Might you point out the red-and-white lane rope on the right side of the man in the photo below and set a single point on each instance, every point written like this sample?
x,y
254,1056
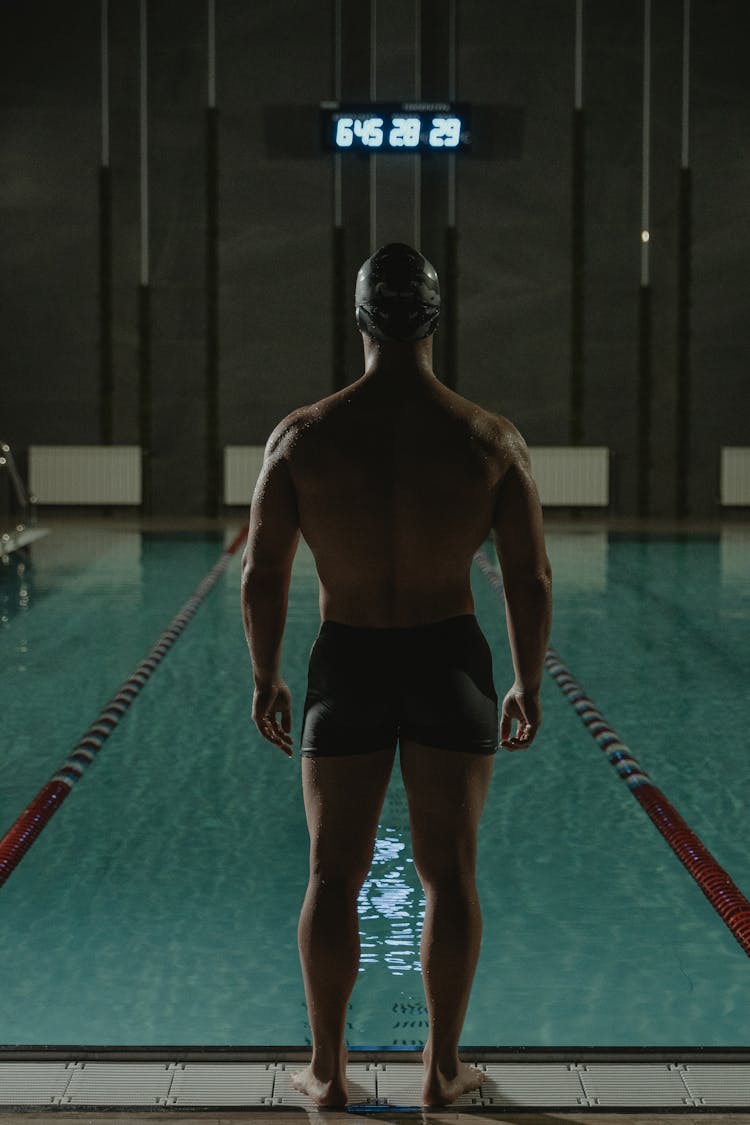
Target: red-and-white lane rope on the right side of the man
x,y
725,896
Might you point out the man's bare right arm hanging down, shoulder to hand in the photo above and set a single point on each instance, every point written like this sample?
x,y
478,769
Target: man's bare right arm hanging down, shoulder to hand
x,y
528,581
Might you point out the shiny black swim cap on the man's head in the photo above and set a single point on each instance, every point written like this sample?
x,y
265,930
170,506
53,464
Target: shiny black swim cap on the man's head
x,y
397,295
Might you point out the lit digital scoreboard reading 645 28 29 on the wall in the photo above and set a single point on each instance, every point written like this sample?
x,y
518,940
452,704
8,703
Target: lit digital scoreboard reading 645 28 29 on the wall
x,y
396,128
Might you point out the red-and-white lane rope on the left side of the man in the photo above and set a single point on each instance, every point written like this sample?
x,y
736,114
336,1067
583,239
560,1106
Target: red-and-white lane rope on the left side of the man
x,y
25,831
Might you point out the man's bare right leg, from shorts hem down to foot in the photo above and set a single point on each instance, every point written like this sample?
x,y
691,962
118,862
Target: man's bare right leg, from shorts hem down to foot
x,y
447,793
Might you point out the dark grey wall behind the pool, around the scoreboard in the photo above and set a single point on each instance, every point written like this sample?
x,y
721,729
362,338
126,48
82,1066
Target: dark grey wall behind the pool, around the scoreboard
x,y
278,335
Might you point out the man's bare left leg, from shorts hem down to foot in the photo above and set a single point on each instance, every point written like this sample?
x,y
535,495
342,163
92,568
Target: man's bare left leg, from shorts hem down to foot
x,y
344,798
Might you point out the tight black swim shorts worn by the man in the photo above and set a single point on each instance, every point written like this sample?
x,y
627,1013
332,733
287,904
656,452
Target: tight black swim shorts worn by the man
x,y
430,685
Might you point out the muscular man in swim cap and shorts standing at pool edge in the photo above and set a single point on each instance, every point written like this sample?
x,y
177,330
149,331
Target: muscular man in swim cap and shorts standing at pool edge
x,y
395,482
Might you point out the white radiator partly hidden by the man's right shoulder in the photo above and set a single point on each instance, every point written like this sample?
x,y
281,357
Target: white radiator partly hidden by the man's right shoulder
x,y
572,475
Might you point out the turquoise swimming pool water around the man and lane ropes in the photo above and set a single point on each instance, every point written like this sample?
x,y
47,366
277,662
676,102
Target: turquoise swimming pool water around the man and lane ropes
x,y
160,905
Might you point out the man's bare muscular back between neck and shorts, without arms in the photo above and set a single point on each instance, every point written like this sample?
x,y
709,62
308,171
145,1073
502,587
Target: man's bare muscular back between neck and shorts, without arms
x,y
396,484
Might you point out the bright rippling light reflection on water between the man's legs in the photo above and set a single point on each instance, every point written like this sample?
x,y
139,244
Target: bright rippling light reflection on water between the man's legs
x,y
392,907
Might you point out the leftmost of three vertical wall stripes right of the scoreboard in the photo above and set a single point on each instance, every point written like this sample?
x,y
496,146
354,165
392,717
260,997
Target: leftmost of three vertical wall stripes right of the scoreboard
x,y
577,256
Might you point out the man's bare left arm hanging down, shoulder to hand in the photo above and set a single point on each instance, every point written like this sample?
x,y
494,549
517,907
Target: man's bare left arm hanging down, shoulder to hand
x,y
273,541
